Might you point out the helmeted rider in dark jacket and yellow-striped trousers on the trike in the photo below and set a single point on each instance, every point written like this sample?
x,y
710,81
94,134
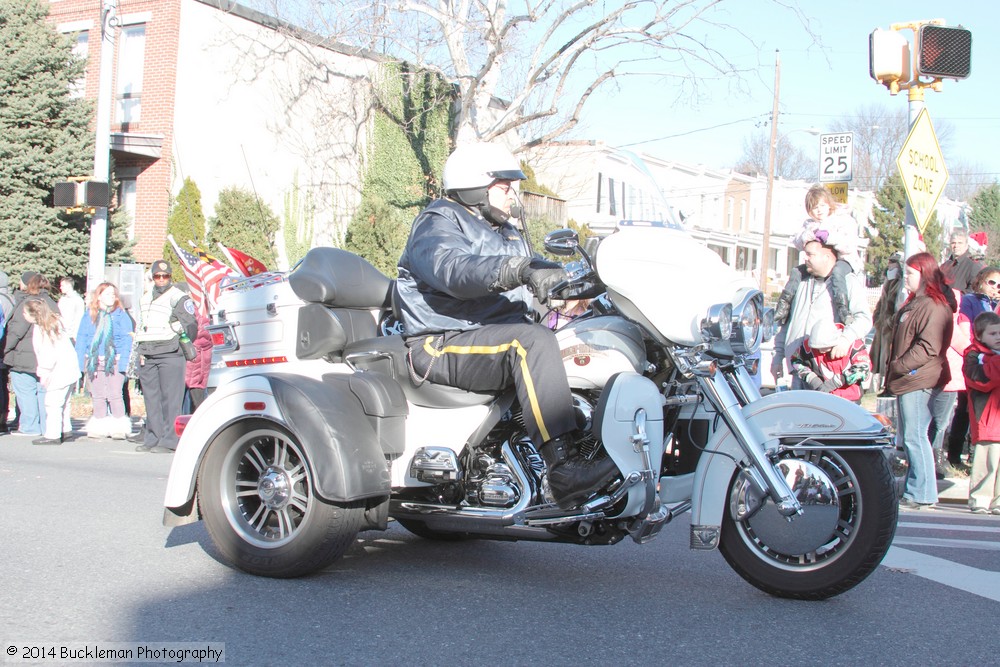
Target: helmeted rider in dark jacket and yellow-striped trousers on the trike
x,y
463,297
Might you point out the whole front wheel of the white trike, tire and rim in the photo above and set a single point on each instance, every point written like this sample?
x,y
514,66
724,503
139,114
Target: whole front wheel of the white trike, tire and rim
x,y
855,528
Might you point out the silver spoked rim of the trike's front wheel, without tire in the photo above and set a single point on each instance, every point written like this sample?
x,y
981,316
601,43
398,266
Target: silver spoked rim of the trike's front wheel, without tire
x,y
843,527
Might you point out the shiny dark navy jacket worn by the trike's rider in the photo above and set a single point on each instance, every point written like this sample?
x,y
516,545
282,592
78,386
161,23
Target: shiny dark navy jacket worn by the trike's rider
x,y
450,260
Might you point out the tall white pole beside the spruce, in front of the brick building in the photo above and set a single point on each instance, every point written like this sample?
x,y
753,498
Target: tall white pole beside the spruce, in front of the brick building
x,y
102,147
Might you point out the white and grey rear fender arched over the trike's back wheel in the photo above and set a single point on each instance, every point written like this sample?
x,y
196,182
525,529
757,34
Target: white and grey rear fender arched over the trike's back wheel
x,y
326,418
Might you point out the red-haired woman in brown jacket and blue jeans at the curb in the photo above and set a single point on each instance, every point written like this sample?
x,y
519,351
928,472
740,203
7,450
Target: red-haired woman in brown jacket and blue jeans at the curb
x,y
918,369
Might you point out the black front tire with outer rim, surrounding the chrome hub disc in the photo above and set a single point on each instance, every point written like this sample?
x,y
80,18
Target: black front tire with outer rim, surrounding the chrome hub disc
x,y
866,524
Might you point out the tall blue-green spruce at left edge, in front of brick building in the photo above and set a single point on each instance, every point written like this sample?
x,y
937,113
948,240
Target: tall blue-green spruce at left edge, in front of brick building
x,y
44,138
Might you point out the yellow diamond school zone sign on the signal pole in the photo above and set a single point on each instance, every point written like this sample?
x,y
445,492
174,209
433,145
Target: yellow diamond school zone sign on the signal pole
x,y
921,166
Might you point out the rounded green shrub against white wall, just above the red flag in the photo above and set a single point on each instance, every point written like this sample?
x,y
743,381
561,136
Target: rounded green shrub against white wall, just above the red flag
x,y
243,222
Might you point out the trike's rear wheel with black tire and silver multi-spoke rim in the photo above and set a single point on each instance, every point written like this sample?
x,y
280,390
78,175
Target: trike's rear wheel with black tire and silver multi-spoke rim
x,y
256,495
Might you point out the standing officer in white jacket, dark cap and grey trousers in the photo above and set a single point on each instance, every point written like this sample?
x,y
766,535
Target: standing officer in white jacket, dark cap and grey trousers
x,y
164,311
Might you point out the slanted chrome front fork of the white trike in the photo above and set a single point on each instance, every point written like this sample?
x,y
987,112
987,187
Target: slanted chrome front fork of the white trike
x,y
762,473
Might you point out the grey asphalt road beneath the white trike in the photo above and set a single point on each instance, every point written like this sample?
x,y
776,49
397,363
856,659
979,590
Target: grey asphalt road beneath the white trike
x,y
86,559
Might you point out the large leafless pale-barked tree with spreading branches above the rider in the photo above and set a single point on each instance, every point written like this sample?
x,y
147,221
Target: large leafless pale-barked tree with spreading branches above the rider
x,y
544,59
